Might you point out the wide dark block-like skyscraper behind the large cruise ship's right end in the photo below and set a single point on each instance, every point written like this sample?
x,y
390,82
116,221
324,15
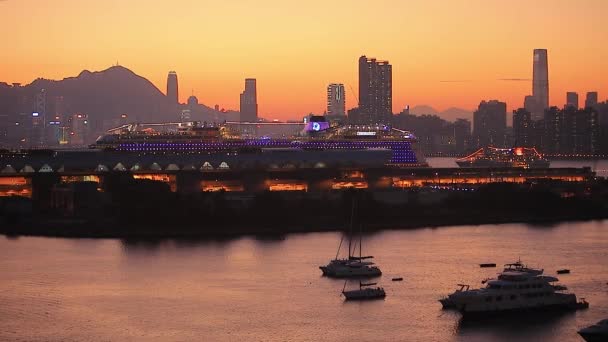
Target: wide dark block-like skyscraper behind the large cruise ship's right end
x,y
375,91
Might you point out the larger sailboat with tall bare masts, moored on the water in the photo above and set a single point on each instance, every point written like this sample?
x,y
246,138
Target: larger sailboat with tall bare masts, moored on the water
x,y
352,266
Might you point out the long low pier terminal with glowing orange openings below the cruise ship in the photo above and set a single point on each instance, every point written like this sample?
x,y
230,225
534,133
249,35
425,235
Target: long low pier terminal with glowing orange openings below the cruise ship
x,y
320,179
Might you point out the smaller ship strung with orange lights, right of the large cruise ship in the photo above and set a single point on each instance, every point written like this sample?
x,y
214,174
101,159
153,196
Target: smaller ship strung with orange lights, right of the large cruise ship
x,y
493,157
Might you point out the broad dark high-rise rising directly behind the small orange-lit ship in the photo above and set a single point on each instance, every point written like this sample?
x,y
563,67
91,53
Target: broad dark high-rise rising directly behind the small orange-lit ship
x,y
490,123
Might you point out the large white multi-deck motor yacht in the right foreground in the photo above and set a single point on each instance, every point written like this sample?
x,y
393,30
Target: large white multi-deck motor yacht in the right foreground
x,y
515,291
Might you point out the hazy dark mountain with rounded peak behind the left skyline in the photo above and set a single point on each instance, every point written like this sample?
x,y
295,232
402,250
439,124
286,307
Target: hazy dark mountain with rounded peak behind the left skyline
x,y
105,95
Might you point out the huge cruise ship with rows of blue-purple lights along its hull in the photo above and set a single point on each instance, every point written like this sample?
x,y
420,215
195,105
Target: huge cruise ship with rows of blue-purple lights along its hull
x,y
221,139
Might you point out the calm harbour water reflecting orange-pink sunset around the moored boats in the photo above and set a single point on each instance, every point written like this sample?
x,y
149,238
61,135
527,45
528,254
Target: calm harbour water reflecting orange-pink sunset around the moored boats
x,y
270,289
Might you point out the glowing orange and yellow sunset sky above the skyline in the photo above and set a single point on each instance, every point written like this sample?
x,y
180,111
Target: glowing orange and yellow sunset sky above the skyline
x,y
295,48
